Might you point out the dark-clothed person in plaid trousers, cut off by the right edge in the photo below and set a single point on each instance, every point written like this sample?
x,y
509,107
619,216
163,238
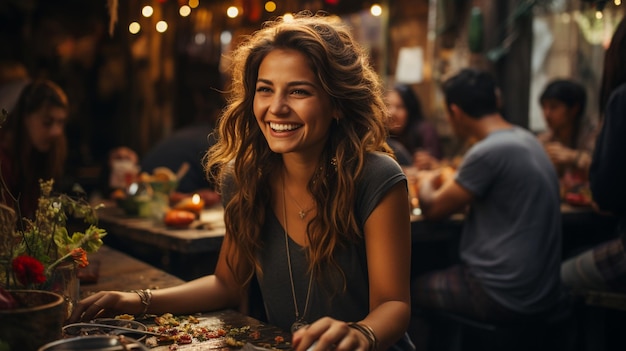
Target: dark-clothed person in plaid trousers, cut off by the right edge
x,y
604,267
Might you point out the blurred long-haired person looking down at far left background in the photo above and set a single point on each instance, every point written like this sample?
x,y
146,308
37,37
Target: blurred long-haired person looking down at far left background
x,y
33,145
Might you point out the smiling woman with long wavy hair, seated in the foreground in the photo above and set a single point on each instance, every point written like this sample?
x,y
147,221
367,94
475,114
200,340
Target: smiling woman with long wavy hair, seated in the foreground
x,y
315,205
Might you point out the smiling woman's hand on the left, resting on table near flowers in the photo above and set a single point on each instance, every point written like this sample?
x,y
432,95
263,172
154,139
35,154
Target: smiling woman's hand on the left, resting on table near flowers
x,y
106,304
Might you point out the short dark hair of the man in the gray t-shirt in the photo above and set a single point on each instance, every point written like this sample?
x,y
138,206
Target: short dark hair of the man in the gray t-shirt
x,y
473,91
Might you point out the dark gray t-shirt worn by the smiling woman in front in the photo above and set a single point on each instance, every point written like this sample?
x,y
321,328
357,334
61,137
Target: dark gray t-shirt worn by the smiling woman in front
x,y
328,298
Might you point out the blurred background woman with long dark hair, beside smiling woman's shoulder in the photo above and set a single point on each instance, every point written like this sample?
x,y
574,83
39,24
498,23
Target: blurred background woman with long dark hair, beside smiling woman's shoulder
x,y
409,130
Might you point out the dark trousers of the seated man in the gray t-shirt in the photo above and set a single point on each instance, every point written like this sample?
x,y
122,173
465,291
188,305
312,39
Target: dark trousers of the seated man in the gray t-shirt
x,y
456,290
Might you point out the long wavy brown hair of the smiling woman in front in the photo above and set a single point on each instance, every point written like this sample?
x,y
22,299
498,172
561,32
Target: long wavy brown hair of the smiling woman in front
x,y
241,151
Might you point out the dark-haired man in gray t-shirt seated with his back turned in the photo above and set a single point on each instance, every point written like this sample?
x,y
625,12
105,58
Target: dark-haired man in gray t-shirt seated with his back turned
x,y
510,247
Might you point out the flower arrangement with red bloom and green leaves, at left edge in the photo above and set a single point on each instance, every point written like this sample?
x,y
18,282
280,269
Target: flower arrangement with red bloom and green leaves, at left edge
x,y
31,250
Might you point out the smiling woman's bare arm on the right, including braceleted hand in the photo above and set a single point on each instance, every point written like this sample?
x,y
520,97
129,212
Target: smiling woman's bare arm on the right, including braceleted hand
x,y
388,247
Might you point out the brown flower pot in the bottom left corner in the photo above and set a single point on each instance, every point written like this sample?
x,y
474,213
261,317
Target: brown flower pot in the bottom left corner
x,y
37,320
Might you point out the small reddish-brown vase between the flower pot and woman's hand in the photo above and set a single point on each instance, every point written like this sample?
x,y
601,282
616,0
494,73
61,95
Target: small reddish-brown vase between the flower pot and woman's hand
x,y
64,281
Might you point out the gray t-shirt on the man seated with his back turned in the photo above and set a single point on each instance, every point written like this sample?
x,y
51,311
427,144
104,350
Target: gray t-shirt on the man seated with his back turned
x,y
512,236
